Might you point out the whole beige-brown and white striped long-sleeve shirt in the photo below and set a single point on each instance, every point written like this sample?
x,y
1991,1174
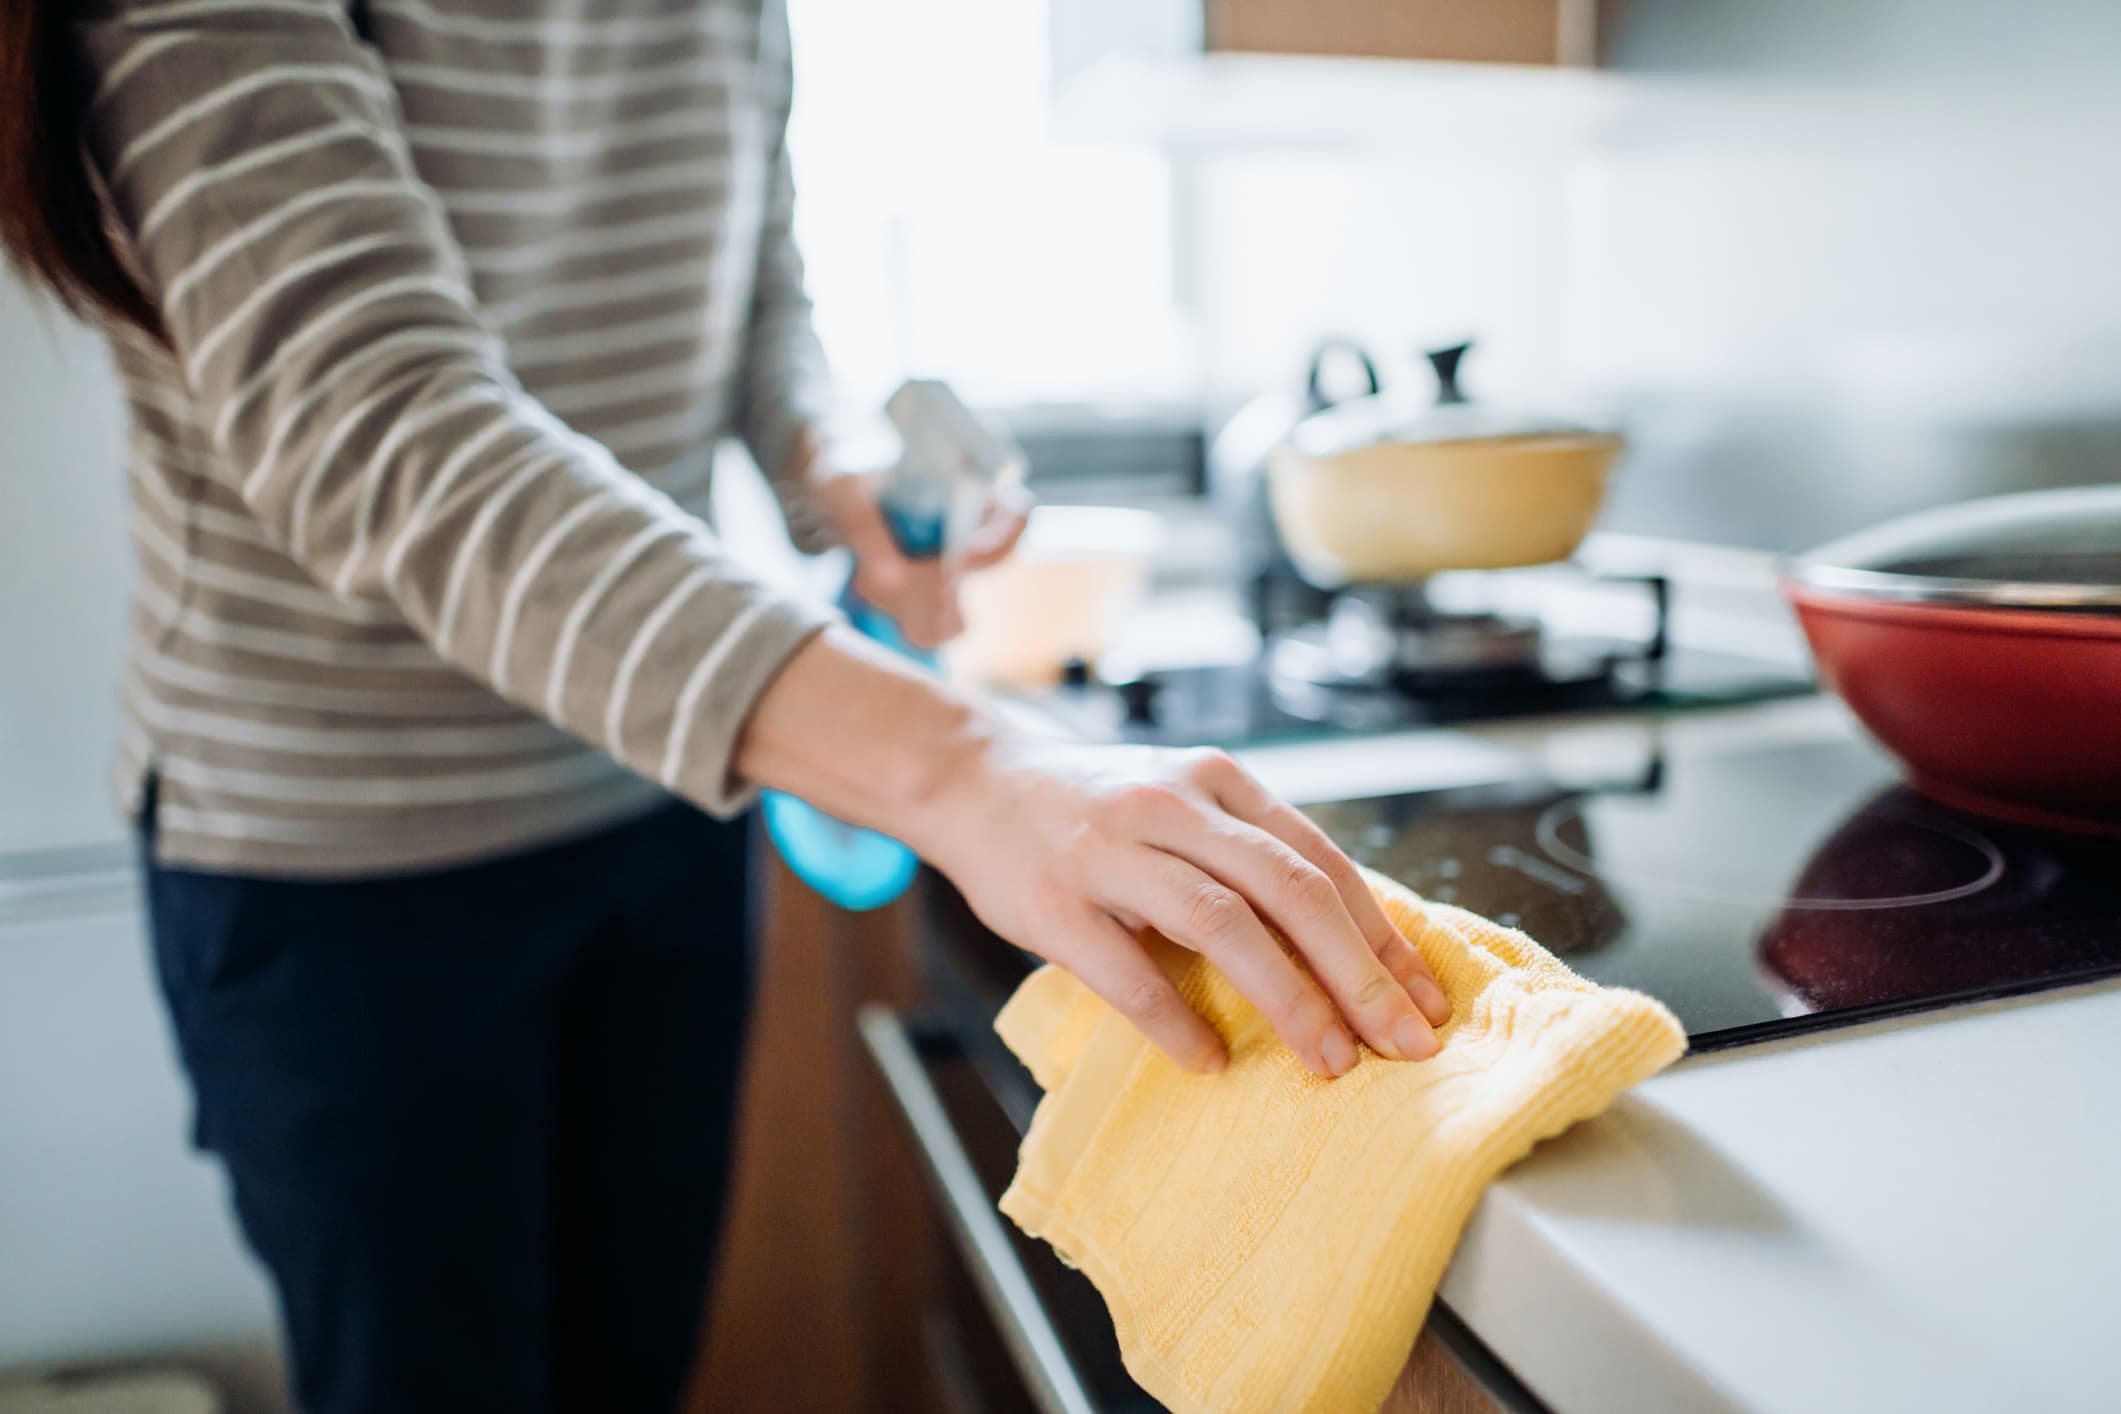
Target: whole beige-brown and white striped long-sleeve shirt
x,y
459,298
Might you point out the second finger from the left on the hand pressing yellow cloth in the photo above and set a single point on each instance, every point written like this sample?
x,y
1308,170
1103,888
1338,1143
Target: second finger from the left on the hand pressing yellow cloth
x,y
1212,919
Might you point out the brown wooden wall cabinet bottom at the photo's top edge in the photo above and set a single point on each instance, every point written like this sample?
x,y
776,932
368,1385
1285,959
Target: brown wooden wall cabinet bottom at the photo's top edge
x,y
1558,33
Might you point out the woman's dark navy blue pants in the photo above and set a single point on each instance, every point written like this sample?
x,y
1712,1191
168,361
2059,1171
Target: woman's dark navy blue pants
x,y
476,1123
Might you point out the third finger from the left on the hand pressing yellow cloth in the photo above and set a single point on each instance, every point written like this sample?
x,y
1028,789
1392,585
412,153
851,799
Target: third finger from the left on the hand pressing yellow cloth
x,y
1297,898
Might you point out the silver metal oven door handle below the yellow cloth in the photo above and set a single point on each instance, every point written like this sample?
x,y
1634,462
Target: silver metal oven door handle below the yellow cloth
x,y
985,1245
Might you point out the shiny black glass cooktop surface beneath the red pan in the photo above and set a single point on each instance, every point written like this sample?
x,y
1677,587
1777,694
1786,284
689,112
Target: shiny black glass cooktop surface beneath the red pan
x,y
1761,891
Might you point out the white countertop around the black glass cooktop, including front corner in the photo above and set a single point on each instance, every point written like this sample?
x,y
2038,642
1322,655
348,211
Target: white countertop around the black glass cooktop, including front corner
x,y
1904,1216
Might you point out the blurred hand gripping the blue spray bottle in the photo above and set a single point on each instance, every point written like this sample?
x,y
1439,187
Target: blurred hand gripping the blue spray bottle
x,y
917,595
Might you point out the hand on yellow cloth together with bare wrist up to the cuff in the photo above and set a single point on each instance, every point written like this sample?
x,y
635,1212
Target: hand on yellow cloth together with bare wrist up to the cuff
x,y
1070,849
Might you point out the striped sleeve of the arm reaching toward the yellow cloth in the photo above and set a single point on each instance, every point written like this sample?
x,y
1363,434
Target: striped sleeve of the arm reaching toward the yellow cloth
x,y
323,317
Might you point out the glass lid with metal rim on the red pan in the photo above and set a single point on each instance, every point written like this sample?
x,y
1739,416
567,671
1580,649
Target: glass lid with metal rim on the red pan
x,y
2031,550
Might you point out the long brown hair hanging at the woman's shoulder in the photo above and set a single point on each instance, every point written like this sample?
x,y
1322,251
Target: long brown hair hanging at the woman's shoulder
x,y
52,217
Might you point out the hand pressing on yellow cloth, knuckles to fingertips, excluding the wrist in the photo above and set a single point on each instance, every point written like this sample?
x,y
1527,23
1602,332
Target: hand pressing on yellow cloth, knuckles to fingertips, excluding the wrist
x,y
1070,851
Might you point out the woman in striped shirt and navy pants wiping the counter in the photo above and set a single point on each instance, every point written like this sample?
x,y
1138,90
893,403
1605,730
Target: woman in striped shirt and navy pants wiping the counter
x,y
430,319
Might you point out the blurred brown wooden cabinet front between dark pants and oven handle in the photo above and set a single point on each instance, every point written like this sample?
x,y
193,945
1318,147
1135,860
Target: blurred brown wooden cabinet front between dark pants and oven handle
x,y
828,1233
